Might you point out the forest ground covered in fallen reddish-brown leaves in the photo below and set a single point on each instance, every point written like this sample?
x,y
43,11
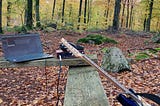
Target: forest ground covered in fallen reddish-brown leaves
x,y
36,86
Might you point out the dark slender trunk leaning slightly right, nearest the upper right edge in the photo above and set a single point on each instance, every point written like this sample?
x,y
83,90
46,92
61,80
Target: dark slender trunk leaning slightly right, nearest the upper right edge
x,y
148,21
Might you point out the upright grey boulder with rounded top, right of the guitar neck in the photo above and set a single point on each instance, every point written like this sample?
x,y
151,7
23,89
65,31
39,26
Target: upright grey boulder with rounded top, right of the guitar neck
x,y
115,61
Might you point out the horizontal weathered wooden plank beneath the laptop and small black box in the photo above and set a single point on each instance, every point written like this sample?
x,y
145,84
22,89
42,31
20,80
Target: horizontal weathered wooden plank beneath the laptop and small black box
x,y
46,62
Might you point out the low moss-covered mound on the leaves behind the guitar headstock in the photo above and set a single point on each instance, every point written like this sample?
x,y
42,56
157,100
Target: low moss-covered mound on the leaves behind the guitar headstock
x,y
96,39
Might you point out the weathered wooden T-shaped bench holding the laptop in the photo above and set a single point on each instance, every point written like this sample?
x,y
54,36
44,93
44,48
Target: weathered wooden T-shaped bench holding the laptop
x,y
83,87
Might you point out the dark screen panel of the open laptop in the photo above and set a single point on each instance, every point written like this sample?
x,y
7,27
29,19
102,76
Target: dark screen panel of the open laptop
x,y
17,45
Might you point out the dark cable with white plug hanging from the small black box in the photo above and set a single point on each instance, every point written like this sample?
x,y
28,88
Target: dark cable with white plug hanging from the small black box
x,y
60,70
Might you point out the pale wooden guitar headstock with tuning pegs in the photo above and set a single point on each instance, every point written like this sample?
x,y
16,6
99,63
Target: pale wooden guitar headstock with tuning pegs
x,y
71,48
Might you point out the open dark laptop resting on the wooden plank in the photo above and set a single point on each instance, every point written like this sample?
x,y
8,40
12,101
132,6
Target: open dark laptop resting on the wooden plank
x,y
24,47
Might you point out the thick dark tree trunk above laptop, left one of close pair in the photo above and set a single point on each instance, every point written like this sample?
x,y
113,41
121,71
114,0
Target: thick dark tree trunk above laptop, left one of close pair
x,y
29,22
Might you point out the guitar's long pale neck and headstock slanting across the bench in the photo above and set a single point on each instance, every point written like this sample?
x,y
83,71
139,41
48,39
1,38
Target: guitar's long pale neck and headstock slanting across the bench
x,y
137,99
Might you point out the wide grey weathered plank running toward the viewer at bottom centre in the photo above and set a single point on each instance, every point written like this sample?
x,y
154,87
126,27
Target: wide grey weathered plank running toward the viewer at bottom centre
x,y
84,88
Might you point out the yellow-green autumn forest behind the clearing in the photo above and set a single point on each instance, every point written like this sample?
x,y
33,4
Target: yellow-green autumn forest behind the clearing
x,y
85,14
